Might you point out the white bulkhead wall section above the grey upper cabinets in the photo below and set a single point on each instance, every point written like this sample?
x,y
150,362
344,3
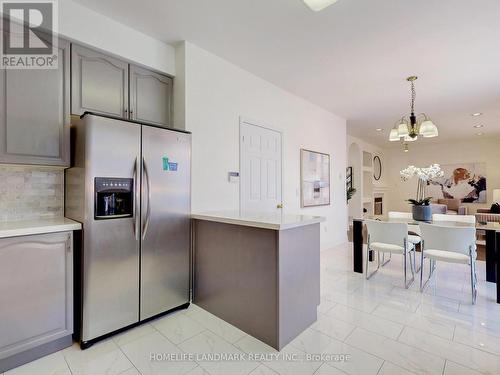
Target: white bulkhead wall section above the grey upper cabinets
x,y
87,27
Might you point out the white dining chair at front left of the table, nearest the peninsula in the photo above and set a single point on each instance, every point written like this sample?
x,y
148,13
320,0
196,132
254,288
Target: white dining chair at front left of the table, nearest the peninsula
x,y
387,237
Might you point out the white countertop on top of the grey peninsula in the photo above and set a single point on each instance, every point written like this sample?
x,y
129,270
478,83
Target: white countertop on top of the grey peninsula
x,y
276,221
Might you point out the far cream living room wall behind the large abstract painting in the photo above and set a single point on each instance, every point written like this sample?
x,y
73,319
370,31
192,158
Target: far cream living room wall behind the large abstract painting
x,y
421,154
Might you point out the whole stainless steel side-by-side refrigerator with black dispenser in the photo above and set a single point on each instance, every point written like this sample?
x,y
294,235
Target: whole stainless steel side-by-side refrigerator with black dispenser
x,y
129,185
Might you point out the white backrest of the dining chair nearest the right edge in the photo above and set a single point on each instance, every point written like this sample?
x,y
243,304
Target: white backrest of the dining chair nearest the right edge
x,y
454,239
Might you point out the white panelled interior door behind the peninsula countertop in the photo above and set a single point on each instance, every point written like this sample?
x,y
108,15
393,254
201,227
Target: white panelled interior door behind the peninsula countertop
x,y
260,168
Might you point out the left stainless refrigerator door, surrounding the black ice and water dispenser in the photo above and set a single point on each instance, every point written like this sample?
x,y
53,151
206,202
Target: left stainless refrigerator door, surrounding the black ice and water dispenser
x,y
111,246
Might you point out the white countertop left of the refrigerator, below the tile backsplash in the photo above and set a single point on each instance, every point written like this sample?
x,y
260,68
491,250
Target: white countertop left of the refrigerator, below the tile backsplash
x,y
40,226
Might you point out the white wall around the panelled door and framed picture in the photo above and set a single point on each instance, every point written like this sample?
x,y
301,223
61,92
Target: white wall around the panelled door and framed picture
x,y
217,93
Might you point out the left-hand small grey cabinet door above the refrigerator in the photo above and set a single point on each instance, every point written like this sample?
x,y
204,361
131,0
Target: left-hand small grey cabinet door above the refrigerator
x,y
99,83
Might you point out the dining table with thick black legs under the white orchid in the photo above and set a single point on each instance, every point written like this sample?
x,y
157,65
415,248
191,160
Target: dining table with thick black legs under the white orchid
x,y
492,243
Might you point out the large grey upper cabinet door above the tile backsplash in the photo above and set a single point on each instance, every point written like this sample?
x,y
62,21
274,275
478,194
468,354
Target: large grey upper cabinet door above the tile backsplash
x,y
34,113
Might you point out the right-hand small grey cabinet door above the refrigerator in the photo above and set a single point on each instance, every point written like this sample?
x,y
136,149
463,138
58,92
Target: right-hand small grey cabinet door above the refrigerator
x,y
150,96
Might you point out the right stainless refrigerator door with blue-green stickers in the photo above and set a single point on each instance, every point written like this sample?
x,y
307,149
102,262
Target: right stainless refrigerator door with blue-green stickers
x,y
165,220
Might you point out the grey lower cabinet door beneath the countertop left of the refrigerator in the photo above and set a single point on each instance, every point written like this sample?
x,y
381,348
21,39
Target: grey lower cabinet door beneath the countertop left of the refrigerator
x,y
36,291
